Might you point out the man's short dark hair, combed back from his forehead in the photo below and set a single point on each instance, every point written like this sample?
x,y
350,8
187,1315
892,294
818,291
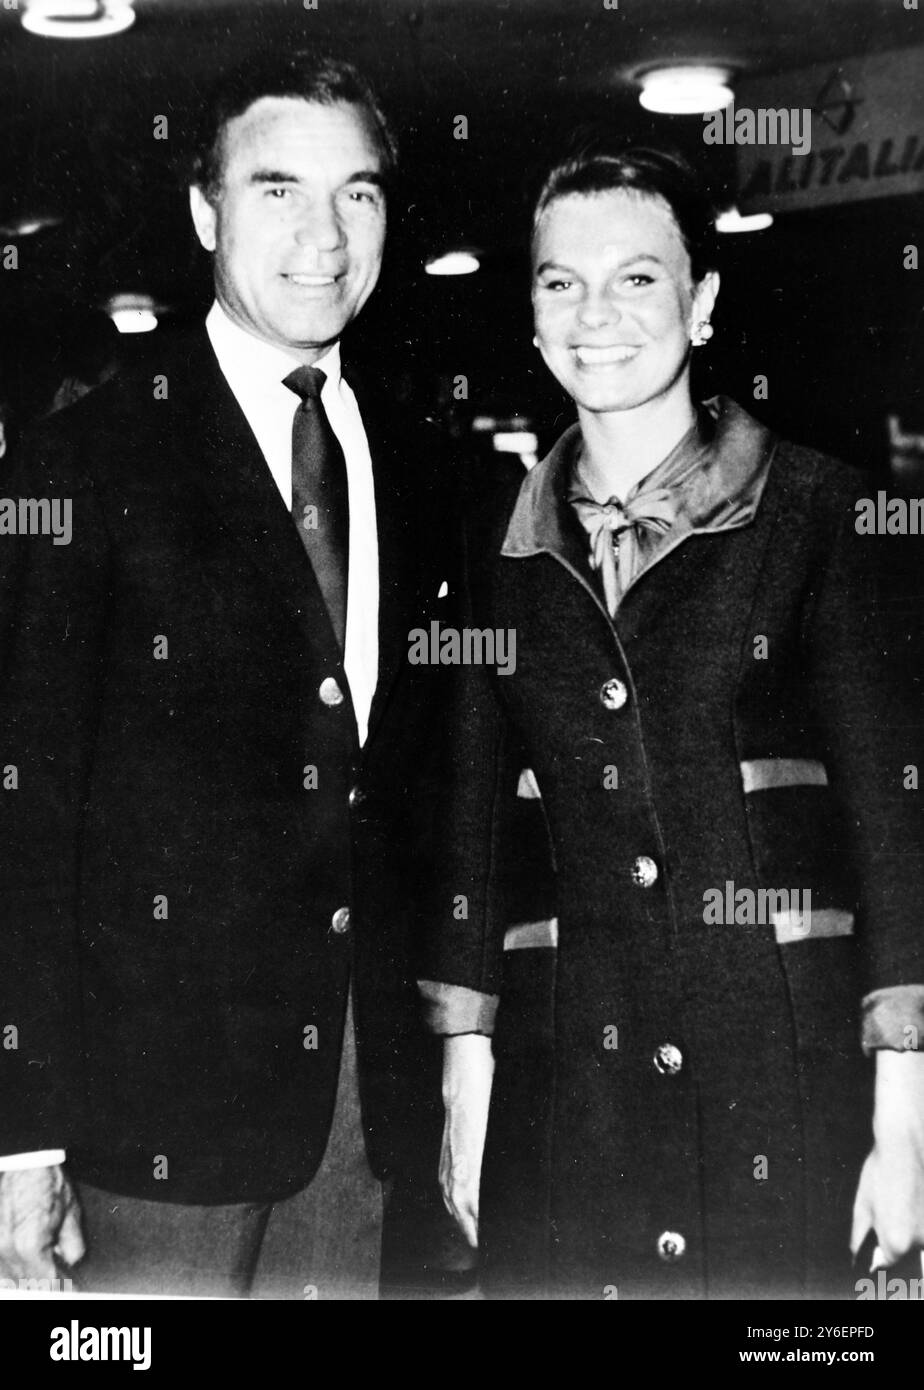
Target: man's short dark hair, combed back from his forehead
x,y
308,77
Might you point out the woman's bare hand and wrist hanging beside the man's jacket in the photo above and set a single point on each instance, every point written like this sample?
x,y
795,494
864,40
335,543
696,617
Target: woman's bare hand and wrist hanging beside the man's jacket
x,y
469,1068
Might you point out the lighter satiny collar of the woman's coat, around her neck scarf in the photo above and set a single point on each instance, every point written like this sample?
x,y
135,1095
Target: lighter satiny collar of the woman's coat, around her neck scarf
x,y
719,489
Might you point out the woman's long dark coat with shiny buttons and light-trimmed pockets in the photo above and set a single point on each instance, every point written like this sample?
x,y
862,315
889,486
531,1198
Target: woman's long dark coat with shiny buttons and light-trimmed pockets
x,y
764,742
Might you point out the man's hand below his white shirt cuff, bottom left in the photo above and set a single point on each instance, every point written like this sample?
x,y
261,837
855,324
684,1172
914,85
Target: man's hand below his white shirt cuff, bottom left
x,y
40,1224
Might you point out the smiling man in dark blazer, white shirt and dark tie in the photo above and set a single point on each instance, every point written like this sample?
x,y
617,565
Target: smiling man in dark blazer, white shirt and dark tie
x,y
220,758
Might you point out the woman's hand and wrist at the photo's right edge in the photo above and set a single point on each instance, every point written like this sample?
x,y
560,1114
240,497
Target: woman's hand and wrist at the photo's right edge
x,y
891,1192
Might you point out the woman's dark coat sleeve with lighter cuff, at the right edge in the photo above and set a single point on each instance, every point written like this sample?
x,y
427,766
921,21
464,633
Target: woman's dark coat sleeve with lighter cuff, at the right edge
x,y
861,632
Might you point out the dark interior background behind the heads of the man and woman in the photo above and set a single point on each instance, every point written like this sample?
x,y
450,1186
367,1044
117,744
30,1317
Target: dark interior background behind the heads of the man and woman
x,y
819,304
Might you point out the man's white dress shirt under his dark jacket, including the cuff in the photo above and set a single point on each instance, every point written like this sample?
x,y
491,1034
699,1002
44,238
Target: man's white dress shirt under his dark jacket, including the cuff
x,y
255,372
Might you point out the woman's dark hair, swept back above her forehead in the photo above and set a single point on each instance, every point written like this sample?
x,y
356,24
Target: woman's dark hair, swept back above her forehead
x,y
598,163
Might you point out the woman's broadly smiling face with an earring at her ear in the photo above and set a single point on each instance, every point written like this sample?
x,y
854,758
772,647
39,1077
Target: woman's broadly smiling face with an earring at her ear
x,y
613,300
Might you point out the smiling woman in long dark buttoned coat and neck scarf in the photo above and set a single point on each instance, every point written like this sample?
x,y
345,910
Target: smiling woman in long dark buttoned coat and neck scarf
x,y
704,705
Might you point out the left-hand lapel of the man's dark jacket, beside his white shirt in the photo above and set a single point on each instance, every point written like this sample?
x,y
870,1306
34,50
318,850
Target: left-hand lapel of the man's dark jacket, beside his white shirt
x,y
236,482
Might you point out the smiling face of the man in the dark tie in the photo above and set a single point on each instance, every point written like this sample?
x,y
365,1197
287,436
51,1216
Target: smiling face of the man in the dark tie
x,y
298,226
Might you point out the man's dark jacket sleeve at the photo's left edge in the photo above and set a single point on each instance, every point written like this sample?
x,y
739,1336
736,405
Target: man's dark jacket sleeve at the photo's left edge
x,y
53,600
